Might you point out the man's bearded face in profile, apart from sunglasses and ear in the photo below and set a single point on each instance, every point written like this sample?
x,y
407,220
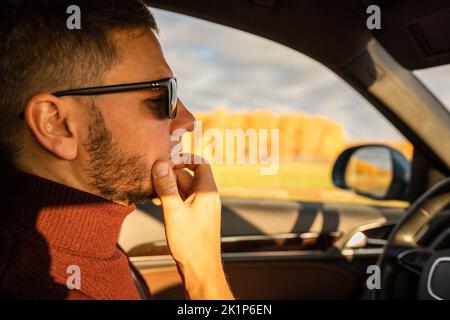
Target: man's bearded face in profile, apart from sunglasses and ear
x,y
125,135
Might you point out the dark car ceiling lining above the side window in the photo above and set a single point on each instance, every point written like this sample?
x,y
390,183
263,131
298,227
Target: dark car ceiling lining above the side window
x,y
411,30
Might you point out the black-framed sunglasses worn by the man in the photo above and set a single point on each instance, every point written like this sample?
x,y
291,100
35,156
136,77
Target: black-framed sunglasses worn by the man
x,y
169,85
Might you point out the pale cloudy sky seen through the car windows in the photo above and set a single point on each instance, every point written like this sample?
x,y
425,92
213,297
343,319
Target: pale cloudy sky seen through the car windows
x,y
218,66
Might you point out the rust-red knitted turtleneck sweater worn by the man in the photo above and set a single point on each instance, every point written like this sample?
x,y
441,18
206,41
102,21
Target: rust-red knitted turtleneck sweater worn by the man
x,y
45,228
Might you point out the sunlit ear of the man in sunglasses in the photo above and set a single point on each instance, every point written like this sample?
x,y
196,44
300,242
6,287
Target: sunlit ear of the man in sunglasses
x,y
47,118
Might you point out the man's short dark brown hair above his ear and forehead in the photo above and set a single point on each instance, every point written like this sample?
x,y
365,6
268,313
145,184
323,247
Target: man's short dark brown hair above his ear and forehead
x,y
38,52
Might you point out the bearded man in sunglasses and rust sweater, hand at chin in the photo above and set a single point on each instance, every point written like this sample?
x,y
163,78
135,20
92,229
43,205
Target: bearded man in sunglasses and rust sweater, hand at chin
x,y
85,133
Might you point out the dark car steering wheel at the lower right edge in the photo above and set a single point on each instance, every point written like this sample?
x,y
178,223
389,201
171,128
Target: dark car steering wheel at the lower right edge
x,y
409,268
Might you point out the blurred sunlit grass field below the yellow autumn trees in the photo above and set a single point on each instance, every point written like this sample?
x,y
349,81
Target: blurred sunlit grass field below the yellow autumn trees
x,y
306,181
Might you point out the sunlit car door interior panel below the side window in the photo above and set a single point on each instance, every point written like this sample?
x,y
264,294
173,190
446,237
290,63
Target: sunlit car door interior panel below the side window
x,y
271,249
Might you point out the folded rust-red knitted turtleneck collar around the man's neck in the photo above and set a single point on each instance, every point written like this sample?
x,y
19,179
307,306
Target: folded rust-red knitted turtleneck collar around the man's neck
x,y
64,217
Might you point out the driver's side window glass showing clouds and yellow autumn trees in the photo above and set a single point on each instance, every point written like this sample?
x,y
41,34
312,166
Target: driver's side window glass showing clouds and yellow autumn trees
x,y
232,80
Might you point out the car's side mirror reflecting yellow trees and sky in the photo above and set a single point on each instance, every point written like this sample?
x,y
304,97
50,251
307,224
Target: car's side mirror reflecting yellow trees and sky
x,y
375,171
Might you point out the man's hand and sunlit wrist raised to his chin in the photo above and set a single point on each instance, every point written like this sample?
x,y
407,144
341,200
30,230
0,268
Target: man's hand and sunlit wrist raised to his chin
x,y
192,216
